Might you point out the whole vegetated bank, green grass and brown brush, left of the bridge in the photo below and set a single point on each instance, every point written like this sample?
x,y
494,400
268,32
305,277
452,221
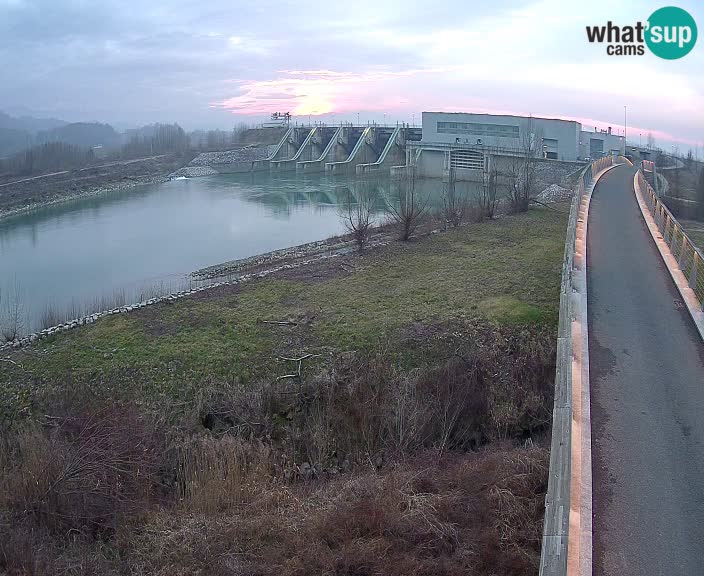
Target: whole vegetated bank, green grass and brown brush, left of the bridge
x,y
383,412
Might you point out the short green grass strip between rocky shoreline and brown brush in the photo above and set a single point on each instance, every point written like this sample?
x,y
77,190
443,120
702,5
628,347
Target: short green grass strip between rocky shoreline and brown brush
x,y
506,271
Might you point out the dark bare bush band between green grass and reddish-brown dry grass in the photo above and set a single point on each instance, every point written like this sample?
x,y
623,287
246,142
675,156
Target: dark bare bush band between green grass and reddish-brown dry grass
x,y
365,410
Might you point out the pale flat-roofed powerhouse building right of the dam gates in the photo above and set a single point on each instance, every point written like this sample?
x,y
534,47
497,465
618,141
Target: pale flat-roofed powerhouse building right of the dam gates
x,y
467,141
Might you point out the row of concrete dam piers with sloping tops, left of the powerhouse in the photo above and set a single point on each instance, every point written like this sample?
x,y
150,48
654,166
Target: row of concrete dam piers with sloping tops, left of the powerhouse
x,y
339,149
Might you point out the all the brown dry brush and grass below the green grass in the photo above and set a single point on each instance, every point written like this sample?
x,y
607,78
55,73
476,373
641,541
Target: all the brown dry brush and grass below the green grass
x,y
364,469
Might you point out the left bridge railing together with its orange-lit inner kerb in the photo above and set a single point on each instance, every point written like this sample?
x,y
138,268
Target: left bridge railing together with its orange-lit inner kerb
x,y
566,546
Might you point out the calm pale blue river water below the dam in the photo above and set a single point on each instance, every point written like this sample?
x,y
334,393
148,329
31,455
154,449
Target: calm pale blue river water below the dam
x,y
117,248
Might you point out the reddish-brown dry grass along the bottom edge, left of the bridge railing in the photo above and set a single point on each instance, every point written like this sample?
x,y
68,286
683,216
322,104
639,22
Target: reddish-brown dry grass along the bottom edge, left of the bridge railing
x,y
459,514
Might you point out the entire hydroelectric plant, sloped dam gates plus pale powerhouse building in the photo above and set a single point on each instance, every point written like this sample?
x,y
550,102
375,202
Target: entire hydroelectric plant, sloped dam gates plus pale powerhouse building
x,y
470,144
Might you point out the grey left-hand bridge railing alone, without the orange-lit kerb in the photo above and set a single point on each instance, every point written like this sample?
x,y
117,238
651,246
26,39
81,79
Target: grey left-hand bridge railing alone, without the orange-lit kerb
x,y
553,559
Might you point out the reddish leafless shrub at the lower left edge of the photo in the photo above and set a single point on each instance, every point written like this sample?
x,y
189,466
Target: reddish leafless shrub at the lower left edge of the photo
x,y
83,472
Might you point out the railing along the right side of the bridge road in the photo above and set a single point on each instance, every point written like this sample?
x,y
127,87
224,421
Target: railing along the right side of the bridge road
x,y
688,256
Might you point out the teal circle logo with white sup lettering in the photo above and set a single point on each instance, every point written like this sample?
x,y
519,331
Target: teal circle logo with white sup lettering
x,y
670,33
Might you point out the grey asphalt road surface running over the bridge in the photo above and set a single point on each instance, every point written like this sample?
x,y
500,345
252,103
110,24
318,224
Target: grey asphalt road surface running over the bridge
x,y
647,378
